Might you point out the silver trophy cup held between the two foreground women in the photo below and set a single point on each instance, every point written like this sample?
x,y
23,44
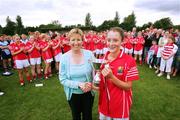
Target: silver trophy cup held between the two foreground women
x,y
96,63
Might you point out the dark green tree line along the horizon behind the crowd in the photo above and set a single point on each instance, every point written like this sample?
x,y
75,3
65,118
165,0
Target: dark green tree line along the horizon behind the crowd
x,y
127,24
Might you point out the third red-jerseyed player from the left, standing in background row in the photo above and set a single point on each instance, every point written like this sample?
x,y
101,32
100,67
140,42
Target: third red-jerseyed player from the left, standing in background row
x,y
46,53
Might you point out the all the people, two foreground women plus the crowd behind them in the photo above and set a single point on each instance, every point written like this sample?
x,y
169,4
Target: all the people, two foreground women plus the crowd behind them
x,y
74,54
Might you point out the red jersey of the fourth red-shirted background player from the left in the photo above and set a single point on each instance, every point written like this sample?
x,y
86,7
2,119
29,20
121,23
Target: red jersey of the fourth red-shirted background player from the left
x,y
54,43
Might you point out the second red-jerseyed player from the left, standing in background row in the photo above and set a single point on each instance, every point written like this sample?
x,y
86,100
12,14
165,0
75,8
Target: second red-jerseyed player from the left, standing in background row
x,y
34,57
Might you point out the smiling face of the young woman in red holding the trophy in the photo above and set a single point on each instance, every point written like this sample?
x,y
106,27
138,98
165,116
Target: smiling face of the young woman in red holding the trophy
x,y
114,41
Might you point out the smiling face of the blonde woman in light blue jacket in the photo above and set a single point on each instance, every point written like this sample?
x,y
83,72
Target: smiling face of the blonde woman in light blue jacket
x,y
76,41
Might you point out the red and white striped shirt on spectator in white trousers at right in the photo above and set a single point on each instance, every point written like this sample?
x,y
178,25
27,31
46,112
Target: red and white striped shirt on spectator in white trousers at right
x,y
169,49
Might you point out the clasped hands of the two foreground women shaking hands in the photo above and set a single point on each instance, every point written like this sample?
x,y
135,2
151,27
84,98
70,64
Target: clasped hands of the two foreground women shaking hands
x,y
85,87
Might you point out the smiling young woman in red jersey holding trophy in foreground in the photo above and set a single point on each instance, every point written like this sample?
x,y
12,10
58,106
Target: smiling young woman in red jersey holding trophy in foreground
x,y
115,98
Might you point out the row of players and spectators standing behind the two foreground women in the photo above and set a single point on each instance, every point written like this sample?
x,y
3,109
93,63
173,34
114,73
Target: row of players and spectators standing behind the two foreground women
x,y
154,46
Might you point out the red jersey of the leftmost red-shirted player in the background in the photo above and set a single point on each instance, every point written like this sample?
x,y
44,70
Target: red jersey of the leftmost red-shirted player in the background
x,y
14,47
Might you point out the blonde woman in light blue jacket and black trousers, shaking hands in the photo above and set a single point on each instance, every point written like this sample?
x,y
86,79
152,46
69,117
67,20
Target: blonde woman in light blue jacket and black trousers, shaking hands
x,y
76,77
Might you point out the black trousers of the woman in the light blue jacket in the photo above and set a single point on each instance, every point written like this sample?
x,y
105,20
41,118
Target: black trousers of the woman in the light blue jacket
x,y
81,104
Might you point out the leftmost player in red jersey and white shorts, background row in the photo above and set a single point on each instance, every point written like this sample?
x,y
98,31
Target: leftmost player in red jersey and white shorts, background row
x,y
20,59
